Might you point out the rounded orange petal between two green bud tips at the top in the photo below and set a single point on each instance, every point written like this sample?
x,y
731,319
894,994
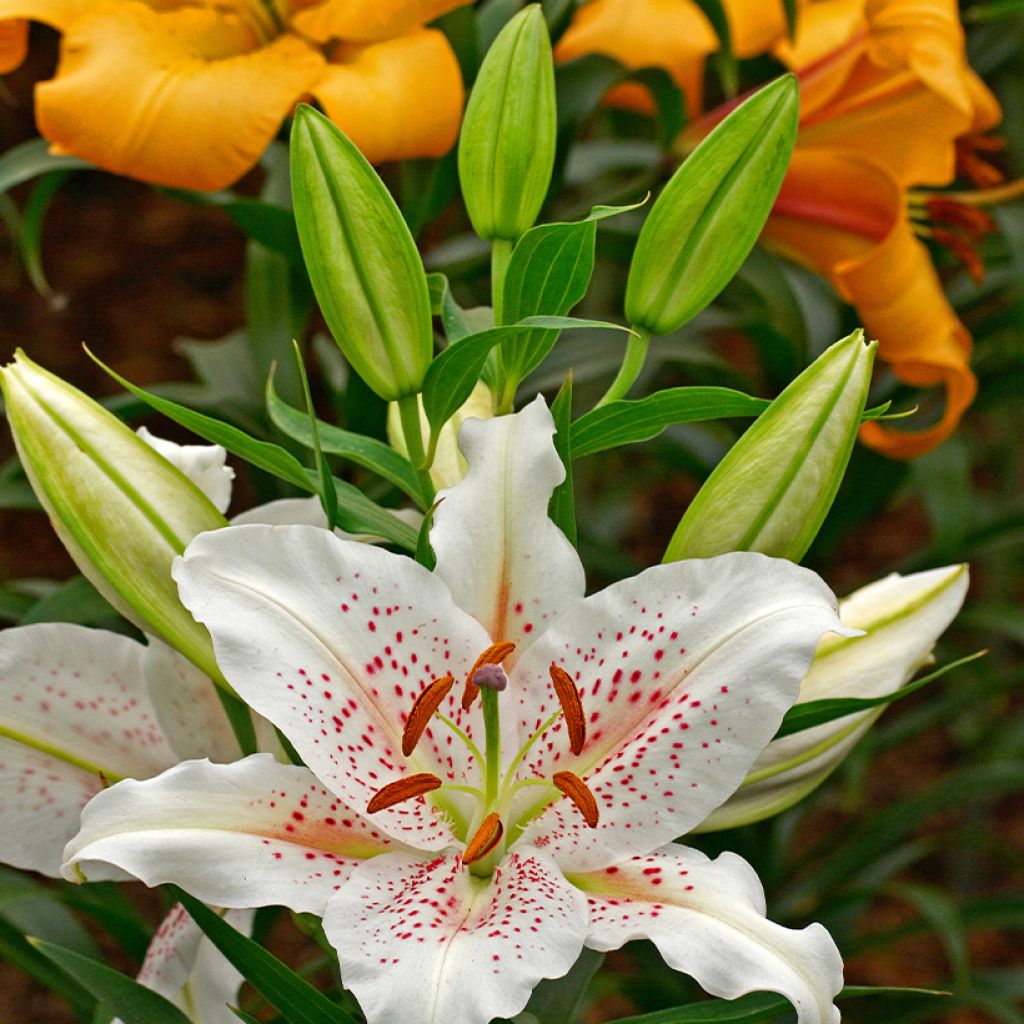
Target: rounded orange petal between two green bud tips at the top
x,y
396,100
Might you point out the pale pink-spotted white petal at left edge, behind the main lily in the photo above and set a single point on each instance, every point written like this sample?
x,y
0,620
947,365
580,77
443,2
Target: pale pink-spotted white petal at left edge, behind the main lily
x,y
73,711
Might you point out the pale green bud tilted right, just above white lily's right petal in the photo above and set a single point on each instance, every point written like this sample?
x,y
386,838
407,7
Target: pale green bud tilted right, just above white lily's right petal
x,y
776,486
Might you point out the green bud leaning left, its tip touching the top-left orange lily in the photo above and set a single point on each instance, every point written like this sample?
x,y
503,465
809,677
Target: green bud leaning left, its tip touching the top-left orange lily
x,y
362,260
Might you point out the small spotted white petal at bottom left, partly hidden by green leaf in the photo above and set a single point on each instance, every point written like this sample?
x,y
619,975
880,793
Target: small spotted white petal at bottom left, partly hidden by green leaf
x,y
185,967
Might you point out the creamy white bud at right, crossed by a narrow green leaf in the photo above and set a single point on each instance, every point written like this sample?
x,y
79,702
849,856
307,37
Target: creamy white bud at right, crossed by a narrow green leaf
x,y
903,618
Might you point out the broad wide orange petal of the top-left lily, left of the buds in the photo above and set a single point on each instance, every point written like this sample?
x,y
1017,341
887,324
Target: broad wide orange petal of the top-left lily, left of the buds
x,y
186,99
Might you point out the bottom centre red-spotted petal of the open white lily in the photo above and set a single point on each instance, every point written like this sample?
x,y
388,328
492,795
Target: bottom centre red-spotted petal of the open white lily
x,y
423,942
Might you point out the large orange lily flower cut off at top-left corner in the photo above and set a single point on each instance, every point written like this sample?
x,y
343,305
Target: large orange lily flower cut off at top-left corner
x,y
190,94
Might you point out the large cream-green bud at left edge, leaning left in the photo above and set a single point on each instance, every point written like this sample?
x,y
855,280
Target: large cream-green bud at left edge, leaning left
x,y
122,511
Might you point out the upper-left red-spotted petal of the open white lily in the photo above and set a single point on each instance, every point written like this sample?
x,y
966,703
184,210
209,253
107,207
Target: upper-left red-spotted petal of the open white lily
x,y
332,642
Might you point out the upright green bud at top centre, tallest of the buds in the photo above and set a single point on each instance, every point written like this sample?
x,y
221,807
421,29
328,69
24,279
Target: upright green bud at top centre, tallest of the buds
x,y
507,145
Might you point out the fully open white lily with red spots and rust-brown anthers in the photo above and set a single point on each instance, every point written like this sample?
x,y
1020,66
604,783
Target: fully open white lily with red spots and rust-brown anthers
x,y
431,833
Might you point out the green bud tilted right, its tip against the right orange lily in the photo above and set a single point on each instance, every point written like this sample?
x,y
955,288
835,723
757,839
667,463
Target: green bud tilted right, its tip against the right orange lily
x,y
710,215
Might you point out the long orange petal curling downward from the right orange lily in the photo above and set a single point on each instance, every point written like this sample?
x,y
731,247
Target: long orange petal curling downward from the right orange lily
x,y
847,221
